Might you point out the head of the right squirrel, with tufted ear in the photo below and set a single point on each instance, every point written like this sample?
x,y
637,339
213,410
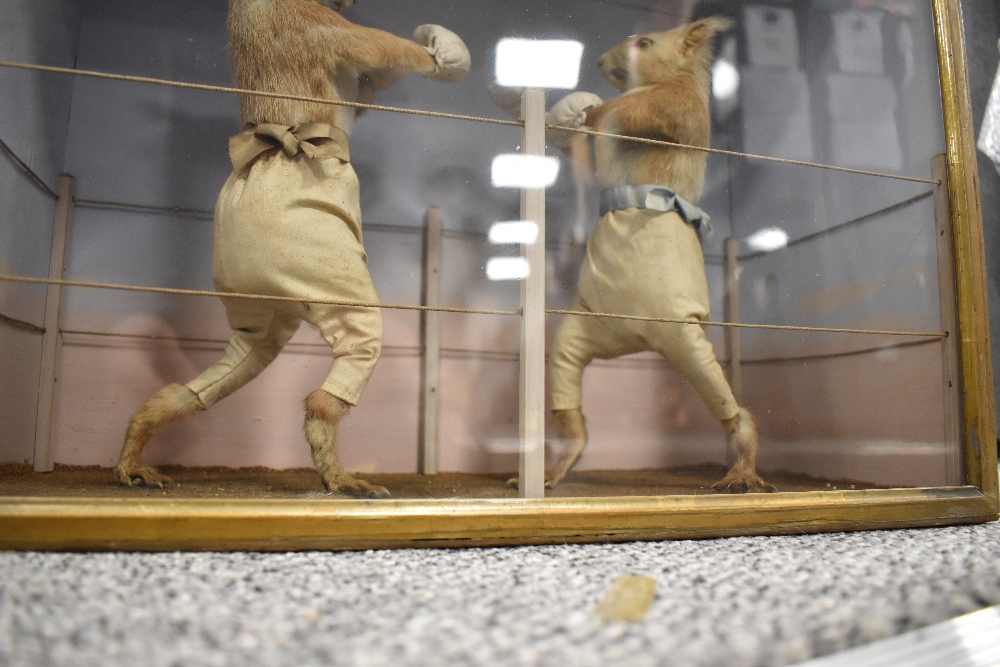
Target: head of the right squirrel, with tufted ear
x,y
647,59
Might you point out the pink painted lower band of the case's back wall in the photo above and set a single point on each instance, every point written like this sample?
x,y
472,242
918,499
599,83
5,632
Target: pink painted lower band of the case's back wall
x,y
871,417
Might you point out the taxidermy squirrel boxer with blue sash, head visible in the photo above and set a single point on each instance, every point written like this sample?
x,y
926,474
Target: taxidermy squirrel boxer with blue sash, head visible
x,y
644,257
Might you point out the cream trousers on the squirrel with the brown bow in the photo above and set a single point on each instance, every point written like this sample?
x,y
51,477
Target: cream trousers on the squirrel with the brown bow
x,y
291,226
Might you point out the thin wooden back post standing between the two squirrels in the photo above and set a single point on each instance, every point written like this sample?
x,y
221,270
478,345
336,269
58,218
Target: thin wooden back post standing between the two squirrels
x,y
430,342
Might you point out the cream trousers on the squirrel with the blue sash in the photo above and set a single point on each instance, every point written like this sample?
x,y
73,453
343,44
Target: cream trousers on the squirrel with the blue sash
x,y
647,263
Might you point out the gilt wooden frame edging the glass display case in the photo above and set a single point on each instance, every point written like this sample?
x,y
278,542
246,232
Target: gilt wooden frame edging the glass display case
x,y
197,524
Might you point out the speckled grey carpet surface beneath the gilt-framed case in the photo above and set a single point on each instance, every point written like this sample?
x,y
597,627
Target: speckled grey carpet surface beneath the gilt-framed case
x,y
742,601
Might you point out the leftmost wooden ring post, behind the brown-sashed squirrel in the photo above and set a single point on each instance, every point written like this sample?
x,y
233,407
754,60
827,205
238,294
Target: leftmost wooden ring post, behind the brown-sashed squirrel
x,y
52,338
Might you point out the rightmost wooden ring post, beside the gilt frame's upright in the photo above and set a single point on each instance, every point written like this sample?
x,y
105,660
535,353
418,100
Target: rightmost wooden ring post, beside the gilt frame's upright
x,y
947,299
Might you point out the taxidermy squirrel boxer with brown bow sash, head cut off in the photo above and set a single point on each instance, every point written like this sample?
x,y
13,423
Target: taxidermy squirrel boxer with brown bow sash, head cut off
x,y
288,220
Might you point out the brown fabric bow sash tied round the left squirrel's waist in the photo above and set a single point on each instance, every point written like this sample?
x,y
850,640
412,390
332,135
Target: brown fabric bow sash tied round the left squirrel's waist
x,y
319,141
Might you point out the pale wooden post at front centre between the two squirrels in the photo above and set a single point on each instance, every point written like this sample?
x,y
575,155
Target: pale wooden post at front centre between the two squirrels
x,y
532,408
